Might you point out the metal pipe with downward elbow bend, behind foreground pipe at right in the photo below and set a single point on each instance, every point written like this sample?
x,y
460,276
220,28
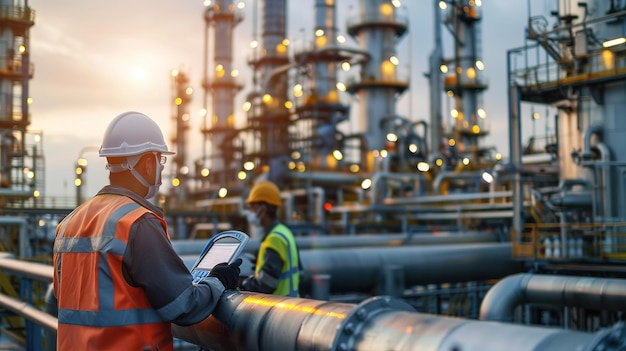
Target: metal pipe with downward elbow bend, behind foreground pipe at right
x,y
592,293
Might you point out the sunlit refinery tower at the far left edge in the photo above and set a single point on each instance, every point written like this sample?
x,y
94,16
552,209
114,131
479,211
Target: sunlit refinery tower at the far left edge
x,y
16,174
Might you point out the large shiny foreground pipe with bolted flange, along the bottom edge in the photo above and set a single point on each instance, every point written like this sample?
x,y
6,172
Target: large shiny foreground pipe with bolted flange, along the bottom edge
x,y
261,322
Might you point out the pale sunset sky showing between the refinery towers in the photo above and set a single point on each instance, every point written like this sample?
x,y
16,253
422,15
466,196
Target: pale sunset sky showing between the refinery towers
x,y
96,59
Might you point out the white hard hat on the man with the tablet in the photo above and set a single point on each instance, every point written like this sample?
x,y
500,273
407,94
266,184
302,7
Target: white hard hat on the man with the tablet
x,y
132,133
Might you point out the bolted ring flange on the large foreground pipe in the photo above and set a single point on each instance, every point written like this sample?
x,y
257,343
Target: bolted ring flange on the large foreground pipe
x,y
350,329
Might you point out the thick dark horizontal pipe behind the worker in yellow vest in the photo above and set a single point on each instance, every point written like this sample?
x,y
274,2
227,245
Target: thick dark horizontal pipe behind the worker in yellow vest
x,y
360,270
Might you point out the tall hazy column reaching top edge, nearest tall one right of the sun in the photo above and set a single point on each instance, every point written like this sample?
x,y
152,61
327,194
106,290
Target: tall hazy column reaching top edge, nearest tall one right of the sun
x,y
219,125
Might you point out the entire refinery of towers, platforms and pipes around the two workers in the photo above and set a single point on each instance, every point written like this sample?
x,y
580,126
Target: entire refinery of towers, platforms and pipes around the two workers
x,y
414,234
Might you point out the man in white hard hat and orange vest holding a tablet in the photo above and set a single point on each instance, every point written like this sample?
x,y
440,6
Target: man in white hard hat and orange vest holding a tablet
x,y
117,279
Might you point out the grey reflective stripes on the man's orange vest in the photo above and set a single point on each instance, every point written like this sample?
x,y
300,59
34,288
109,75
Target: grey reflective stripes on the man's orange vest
x,y
102,244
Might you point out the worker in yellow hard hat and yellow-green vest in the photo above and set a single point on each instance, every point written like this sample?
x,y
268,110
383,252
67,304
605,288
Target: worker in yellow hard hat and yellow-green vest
x,y
277,269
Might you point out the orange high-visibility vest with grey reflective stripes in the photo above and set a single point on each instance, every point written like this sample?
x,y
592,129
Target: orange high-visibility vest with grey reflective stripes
x,y
98,310
